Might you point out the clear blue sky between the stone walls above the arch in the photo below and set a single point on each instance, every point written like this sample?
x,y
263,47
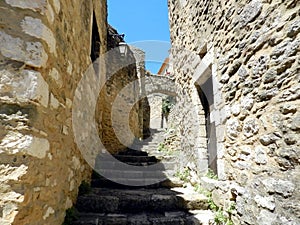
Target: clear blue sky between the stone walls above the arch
x,y
145,25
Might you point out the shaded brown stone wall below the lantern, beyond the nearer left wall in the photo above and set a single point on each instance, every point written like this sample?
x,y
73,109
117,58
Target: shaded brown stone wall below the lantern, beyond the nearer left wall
x,y
121,114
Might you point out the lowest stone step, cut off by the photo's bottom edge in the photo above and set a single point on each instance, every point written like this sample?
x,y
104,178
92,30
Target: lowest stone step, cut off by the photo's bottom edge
x,y
166,218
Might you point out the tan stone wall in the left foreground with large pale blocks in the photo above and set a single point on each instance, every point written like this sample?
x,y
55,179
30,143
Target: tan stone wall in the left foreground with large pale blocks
x,y
45,48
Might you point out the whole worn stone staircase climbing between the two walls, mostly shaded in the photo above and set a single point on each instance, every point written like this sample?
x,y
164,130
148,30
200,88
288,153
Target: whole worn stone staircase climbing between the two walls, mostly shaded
x,y
137,195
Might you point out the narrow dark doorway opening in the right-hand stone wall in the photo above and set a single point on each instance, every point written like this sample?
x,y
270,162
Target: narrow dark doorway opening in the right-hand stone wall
x,y
205,92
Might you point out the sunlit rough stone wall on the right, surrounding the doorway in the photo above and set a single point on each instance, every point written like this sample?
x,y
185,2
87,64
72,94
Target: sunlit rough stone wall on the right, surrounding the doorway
x,y
247,54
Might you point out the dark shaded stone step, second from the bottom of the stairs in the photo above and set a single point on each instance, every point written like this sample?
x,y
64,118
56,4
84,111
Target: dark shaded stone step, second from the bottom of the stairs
x,y
103,200
